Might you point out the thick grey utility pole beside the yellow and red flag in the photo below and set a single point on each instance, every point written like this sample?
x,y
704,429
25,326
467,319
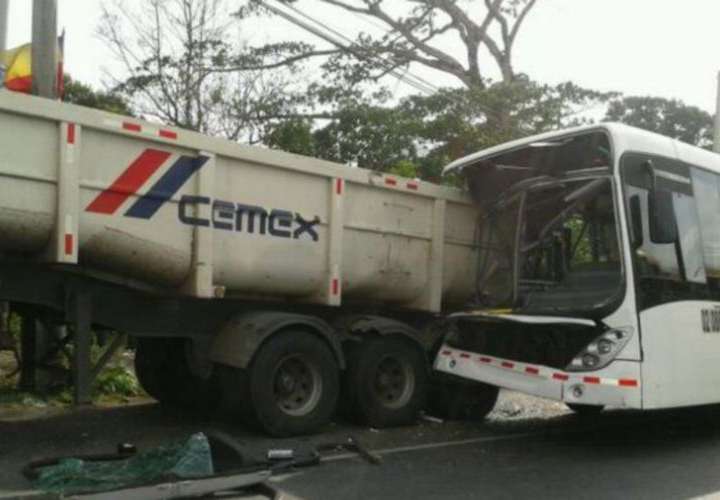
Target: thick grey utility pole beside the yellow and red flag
x,y
44,48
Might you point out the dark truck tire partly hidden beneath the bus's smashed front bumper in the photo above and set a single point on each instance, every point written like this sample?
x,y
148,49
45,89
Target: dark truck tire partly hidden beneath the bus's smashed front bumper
x,y
454,399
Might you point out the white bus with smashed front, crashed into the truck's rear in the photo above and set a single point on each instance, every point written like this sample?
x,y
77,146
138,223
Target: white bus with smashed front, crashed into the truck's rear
x,y
598,271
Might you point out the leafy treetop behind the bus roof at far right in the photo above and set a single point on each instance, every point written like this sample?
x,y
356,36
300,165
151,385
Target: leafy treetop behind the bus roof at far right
x,y
669,117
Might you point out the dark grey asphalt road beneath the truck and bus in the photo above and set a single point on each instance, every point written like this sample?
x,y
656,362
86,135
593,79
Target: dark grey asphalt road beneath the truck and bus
x,y
670,454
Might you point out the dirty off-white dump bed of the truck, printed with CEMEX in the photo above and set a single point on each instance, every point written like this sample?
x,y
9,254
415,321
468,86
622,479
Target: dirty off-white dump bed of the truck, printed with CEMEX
x,y
193,215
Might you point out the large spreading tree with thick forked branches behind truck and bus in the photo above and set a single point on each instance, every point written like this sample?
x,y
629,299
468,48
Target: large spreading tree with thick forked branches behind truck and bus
x,y
429,130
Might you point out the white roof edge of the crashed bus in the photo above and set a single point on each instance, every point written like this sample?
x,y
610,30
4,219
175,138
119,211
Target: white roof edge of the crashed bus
x,y
623,137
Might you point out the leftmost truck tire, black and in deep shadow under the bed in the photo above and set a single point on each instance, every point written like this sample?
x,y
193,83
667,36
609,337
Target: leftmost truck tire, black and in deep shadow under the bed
x,y
163,370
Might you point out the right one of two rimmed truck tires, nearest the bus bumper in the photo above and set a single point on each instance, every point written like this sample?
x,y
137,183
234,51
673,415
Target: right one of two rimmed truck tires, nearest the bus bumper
x,y
385,382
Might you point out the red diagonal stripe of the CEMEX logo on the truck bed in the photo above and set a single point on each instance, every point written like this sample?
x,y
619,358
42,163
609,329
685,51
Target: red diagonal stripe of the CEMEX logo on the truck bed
x,y
129,182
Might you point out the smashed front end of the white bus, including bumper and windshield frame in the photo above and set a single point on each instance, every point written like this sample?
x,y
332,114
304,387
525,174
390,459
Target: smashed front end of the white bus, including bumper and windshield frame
x,y
551,316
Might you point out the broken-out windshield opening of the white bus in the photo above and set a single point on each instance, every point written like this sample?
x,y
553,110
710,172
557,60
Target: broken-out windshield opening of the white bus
x,y
550,243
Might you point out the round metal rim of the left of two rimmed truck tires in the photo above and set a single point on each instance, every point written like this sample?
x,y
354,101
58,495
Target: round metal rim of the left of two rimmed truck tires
x,y
297,385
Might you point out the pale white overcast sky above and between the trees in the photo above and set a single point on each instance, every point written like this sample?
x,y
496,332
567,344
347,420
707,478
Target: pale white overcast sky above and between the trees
x,y
665,48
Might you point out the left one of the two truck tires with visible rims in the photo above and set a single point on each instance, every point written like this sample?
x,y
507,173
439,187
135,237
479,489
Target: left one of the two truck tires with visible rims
x,y
292,385
